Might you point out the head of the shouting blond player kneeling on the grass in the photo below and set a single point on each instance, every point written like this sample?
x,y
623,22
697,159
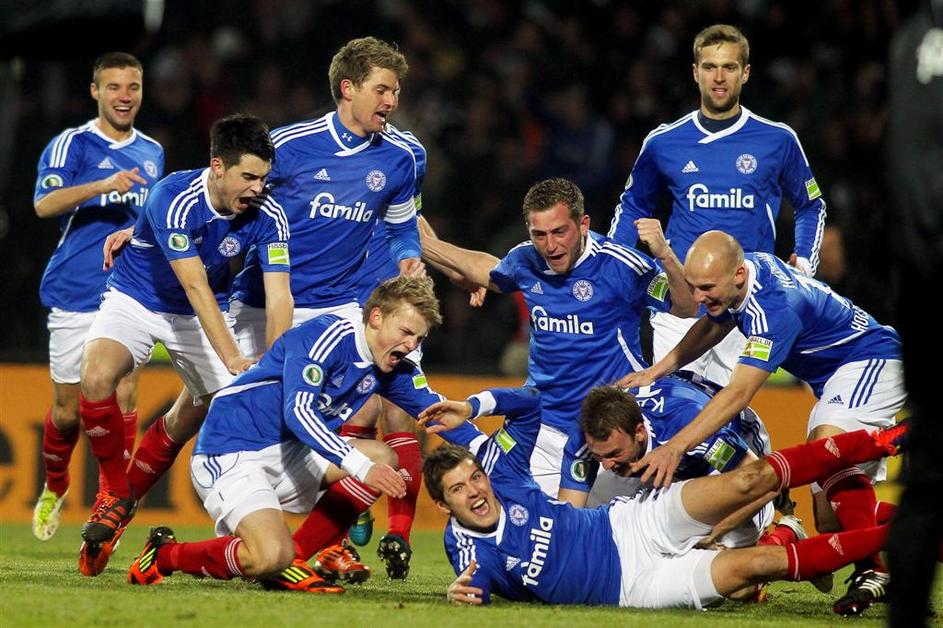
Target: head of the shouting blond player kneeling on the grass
x,y
397,316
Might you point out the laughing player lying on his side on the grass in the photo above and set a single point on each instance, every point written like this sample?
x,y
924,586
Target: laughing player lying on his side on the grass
x,y
505,537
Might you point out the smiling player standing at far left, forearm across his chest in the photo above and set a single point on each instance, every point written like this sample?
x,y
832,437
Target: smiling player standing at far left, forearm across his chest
x,y
94,179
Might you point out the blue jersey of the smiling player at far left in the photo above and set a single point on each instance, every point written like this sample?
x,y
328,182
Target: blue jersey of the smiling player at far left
x,y
74,279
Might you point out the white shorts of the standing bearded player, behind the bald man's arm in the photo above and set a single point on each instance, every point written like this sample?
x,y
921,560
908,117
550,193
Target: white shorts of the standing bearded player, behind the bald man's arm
x,y
717,362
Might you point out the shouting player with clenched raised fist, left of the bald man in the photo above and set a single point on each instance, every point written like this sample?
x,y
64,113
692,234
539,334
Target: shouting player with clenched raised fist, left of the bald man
x,y
585,295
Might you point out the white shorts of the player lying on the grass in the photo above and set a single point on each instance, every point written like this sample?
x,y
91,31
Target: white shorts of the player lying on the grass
x,y
661,568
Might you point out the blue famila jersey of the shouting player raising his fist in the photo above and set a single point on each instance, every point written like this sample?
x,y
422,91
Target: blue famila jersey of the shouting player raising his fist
x,y
584,323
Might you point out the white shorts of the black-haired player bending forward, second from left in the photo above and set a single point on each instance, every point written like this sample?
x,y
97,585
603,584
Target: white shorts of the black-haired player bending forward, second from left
x,y
124,320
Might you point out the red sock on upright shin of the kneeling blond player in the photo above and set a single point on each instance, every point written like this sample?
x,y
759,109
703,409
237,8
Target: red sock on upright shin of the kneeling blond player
x,y
334,513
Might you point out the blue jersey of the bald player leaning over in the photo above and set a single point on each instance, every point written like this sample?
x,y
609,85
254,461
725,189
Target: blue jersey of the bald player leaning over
x,y
802,325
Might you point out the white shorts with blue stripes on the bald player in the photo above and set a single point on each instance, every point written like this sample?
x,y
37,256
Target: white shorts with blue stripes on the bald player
x,y
862,395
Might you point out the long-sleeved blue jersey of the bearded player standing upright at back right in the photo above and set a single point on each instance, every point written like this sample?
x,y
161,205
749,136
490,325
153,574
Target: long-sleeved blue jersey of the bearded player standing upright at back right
x,y
733,180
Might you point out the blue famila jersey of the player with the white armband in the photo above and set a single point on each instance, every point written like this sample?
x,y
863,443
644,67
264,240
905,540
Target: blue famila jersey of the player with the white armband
x,y
335,187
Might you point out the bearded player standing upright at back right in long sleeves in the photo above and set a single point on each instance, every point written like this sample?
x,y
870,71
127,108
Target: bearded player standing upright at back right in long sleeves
x,y
725,168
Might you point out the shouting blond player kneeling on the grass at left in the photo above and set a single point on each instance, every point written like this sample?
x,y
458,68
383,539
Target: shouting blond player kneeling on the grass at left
x,y
266,446
